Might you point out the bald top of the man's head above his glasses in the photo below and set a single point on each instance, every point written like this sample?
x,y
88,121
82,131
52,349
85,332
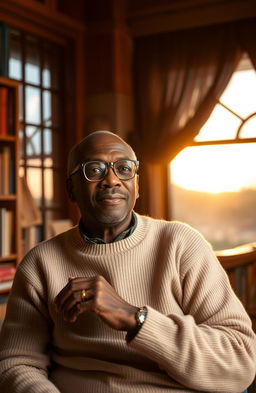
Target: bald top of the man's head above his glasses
x,y
96,142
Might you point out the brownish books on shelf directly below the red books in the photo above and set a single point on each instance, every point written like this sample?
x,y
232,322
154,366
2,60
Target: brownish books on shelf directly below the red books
x,y
7,181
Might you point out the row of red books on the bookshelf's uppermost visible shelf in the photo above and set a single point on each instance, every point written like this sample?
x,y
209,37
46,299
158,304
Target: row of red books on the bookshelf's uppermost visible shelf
x,y
6,116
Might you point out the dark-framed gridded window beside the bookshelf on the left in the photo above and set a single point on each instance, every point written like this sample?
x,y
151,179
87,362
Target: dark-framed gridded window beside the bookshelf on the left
x,y
37,64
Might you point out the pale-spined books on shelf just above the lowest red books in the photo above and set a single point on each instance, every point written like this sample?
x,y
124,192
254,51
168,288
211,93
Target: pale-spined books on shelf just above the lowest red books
x,y
6,231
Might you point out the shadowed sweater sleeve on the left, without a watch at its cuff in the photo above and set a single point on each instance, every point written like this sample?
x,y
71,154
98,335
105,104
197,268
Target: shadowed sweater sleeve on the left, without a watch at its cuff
x,y
24,341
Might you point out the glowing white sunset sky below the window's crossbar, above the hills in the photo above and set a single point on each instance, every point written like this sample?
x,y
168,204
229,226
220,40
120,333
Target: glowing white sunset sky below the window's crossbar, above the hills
x,y
216,168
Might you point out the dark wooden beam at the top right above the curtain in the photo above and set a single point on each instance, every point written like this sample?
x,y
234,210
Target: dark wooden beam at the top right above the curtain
x,y
157,17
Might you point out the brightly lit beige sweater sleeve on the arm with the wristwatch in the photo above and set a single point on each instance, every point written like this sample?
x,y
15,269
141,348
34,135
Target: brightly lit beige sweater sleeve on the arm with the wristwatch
x,y
211,347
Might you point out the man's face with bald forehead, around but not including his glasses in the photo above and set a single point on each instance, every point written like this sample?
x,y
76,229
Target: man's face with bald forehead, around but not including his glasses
x,y
108,202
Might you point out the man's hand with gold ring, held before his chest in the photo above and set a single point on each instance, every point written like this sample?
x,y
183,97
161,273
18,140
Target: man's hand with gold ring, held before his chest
x,y
100,298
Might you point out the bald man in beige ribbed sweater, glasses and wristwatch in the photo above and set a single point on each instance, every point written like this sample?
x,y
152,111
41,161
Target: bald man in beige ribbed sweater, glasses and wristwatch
x,y
122,302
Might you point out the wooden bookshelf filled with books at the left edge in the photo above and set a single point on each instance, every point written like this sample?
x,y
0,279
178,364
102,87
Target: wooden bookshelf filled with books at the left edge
x,y
9,184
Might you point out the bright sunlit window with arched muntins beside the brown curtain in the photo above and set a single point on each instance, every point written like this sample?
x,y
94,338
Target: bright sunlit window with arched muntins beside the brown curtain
x,y
213,182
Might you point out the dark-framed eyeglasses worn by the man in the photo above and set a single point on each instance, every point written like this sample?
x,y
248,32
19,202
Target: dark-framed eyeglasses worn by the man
x,y
98,170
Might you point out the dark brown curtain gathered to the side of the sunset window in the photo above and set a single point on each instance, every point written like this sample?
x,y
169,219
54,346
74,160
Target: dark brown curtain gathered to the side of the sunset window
x,y
179,77
